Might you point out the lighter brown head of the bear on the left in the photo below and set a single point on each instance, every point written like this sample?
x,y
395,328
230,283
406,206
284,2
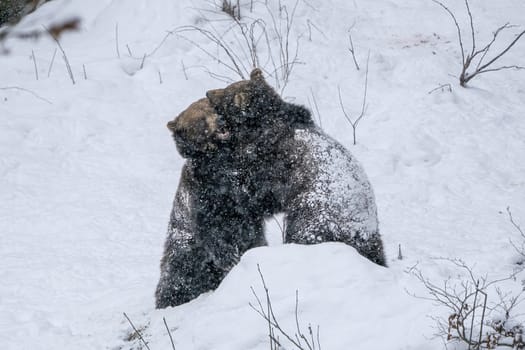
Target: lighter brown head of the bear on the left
x,y
198,130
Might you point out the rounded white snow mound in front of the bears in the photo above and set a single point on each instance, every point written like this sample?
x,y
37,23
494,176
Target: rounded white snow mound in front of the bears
x,y
344,294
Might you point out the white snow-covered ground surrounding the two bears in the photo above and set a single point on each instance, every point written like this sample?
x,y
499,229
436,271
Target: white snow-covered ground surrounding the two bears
x,y
88,172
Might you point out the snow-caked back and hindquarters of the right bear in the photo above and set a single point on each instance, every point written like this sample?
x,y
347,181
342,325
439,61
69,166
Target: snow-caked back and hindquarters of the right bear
x,y
338,204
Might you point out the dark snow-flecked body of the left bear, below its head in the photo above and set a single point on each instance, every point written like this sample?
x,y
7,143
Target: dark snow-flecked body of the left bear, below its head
x,y
207,234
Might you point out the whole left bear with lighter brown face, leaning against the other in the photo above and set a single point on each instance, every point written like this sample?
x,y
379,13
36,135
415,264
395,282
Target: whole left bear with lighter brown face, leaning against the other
x,y
209,227
